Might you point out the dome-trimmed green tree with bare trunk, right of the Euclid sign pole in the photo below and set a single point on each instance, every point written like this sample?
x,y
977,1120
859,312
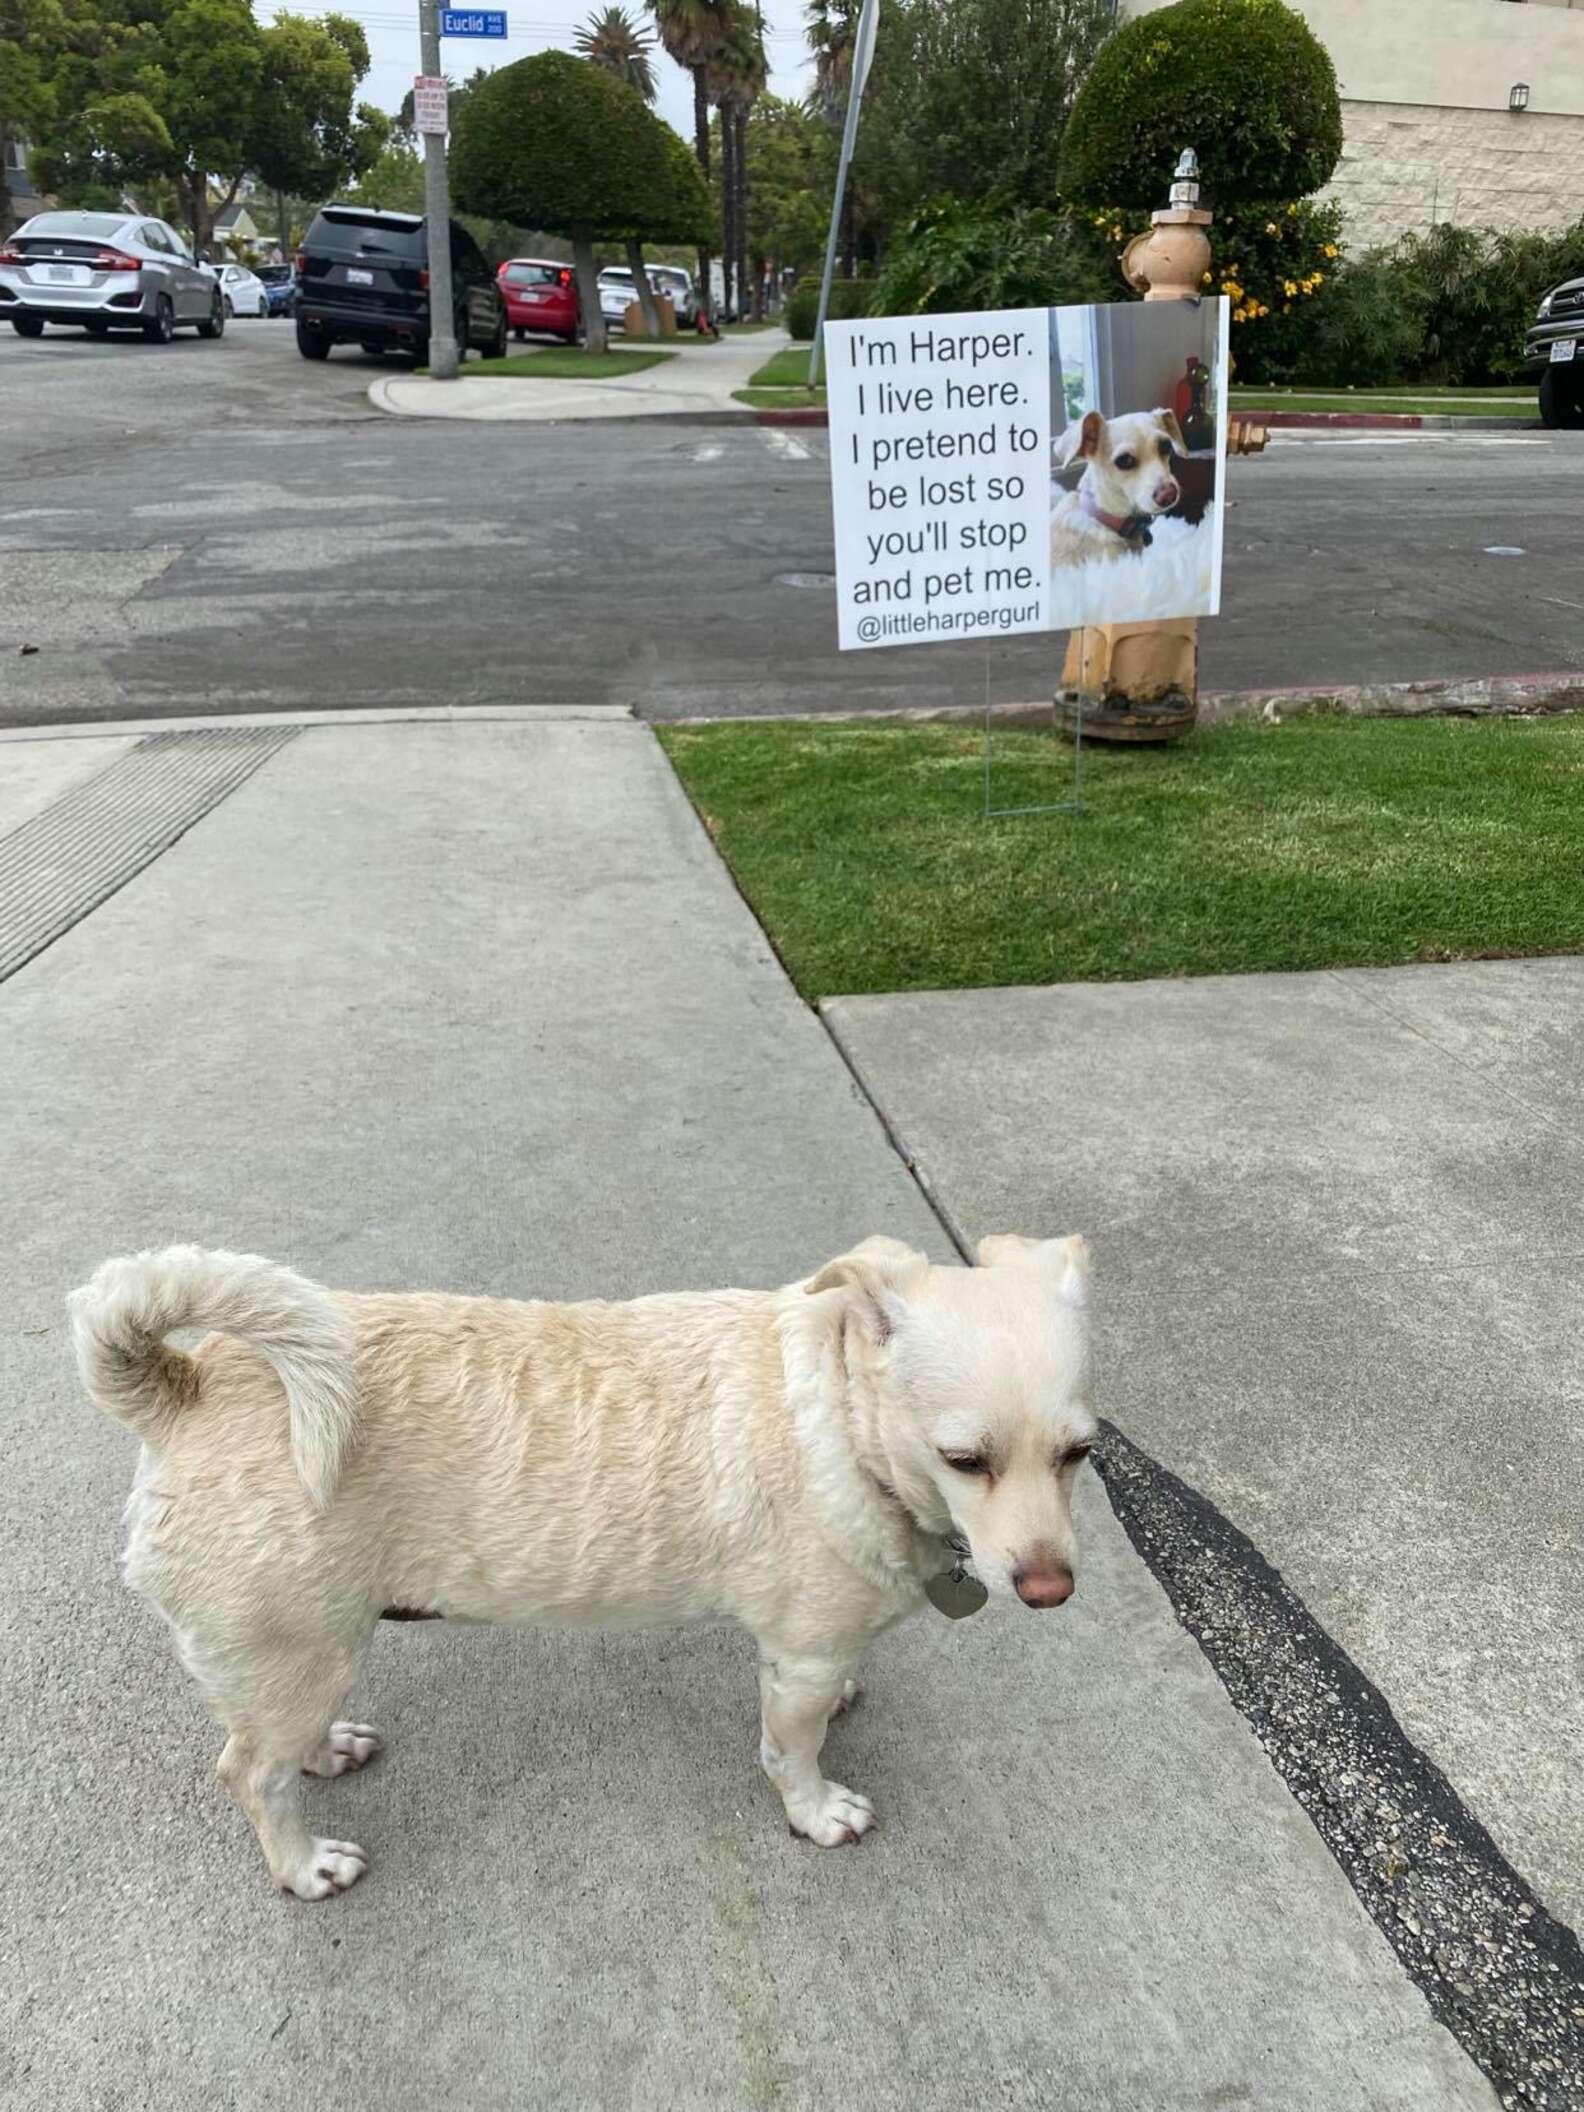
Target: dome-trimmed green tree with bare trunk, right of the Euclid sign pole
x,y
559,145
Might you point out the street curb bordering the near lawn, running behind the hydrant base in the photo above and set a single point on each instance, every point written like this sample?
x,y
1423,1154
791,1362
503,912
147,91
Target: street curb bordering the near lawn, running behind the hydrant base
x,y
1505,696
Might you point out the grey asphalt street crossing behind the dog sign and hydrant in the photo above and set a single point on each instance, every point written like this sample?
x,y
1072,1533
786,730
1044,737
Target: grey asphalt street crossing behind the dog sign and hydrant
x,y
227,527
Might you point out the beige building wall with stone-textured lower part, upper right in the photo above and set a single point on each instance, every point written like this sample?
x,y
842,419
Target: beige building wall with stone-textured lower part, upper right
x,y
1427,126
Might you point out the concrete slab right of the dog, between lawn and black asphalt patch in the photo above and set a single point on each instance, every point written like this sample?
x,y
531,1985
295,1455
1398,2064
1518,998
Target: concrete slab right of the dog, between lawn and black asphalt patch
x,y
1338,1262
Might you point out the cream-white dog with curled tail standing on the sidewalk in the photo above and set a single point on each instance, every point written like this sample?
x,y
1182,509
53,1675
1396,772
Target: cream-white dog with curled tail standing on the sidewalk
x,y
814,1463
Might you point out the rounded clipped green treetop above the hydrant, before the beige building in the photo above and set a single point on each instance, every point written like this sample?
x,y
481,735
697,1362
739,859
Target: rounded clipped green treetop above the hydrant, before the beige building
x,y
1245,83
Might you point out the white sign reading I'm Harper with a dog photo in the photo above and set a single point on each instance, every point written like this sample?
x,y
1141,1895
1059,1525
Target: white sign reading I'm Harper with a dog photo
x,y
1025,470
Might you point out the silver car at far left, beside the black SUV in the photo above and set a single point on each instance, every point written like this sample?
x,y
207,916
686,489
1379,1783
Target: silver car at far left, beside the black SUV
x,y
107,271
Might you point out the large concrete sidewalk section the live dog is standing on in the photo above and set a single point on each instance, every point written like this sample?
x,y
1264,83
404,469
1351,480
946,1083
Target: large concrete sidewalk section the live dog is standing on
x,y
476,1006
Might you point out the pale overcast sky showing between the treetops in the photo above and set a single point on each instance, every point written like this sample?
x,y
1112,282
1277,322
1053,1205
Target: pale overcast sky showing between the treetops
x,y
550,26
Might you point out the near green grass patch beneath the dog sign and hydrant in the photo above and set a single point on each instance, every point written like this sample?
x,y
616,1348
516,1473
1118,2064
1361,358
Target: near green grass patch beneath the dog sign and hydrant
x,y
1319,844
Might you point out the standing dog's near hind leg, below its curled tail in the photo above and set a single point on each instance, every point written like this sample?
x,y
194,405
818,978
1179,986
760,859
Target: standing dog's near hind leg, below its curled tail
x,y
280,1710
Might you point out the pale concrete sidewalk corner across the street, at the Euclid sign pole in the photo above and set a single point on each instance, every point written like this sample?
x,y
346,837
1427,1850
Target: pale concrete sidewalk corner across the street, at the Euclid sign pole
x,y
696,381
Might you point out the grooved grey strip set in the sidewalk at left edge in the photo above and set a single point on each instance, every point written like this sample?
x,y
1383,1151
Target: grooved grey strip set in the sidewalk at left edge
x,y
75,854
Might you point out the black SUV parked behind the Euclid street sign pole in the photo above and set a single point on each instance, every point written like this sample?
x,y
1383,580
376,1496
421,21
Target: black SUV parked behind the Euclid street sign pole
x,y
364,280
